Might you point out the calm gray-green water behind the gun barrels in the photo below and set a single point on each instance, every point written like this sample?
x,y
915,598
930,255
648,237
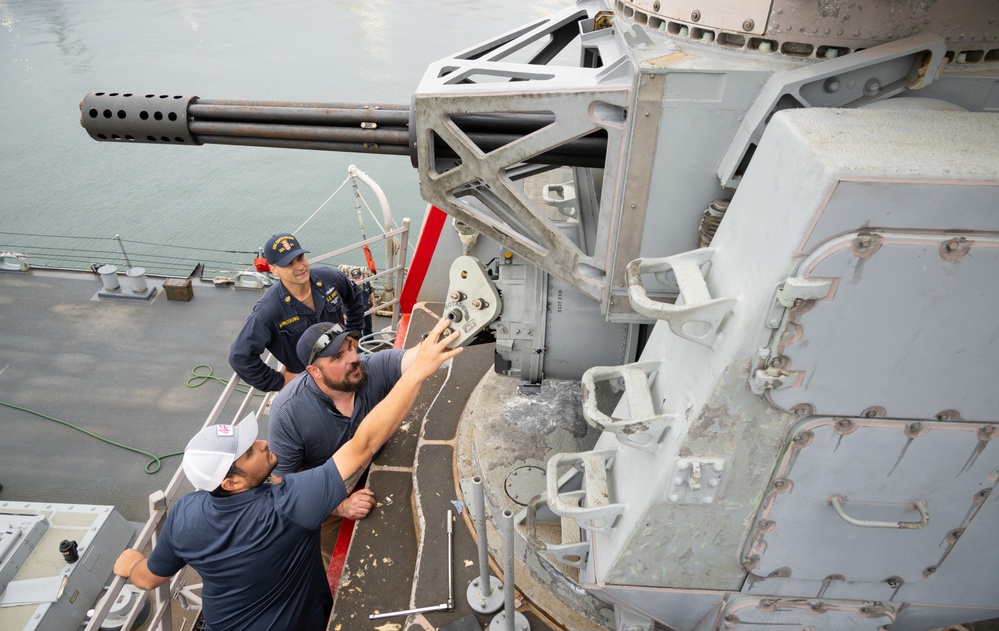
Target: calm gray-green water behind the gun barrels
x,y
202,203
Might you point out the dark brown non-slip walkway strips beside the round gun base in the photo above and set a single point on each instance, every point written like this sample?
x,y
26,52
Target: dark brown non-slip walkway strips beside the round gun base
x,y
398,556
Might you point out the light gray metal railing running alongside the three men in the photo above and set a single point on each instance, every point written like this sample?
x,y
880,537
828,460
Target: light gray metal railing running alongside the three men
x,y
161,614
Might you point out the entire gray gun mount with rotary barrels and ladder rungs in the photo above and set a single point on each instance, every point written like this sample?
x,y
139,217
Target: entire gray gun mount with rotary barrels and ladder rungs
x,y
768,228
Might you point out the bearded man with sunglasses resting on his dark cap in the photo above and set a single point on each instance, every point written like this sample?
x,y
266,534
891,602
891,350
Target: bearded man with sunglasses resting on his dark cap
x,y
321,408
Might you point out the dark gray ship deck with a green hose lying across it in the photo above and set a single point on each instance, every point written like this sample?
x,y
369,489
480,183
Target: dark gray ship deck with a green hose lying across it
x,y
119,368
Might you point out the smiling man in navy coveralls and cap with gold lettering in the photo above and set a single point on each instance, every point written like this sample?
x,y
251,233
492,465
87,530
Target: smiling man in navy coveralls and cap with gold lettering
x,y
304,297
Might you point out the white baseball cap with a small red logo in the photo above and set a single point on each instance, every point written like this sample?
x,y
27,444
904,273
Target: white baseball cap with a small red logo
x,y
212,451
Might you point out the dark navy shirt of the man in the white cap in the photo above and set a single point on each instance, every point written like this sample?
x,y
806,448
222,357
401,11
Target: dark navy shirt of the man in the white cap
x,y
257,552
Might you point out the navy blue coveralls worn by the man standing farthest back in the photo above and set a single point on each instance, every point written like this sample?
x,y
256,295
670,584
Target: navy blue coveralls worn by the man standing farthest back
x,y
278,320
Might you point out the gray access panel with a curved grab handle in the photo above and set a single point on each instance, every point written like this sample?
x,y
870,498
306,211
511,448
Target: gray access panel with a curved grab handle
x,y
879,467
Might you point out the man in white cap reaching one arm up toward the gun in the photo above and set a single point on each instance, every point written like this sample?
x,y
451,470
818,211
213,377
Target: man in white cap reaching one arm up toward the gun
x,y
256,544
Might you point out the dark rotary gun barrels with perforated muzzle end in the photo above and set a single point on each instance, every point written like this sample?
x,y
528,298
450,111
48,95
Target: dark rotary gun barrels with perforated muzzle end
x,y
347,127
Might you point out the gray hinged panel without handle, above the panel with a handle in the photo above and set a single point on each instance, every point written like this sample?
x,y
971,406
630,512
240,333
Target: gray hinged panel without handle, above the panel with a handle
x,y
898,308
